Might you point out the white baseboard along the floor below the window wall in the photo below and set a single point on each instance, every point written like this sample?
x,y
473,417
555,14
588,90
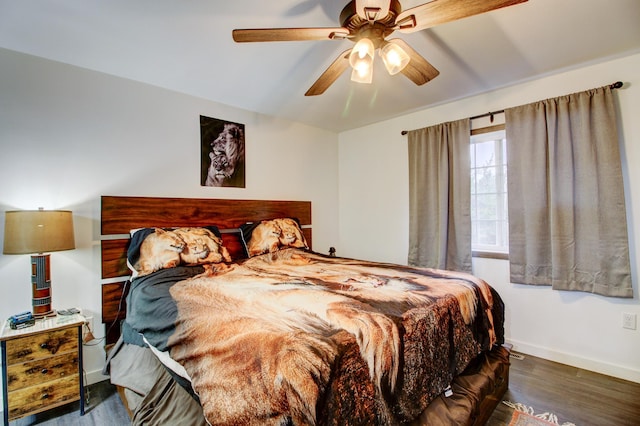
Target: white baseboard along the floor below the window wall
x,y
577,361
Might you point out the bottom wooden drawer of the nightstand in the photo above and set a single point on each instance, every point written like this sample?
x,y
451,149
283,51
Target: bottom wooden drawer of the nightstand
x,y
43,396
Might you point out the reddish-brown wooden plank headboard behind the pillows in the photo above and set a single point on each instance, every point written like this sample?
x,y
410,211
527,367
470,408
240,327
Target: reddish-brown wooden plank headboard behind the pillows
x,y
119,215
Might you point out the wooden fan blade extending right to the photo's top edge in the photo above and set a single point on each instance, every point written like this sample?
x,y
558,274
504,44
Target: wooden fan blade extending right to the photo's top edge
x,y
442,11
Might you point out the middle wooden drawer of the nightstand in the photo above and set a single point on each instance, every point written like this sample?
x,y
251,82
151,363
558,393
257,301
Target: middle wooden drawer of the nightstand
x,y
39,371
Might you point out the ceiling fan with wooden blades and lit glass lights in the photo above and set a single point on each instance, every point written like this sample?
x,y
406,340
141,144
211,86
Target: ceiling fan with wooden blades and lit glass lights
x,y
368,23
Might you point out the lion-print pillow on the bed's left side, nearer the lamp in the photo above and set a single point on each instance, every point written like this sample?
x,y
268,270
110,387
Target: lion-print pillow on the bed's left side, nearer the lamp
x,y
152,249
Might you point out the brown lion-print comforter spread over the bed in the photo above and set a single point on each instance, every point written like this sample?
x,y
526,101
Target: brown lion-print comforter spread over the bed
x,y
298,337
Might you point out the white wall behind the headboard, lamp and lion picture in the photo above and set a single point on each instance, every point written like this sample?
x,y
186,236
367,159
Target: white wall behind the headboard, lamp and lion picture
x,y
69,135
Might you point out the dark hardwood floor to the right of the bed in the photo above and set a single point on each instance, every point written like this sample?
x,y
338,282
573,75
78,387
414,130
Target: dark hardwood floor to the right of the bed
x,y
574,395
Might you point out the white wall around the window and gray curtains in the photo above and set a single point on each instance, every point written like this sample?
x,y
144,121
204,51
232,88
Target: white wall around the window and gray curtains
x,y
574,328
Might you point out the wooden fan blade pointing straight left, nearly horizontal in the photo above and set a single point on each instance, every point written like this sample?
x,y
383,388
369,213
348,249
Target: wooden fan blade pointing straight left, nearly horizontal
x,y
288,34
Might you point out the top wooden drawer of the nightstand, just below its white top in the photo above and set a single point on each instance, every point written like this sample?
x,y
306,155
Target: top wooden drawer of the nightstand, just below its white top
x,y
42,345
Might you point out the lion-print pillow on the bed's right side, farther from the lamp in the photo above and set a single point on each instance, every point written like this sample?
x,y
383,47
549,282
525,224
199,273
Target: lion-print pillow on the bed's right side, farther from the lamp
x,y
272,235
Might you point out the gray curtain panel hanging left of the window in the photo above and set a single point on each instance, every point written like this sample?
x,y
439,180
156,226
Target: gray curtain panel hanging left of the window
x,y
439,196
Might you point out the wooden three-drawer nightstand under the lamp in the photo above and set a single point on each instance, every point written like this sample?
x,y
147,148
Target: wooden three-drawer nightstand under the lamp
x,y
42,366
